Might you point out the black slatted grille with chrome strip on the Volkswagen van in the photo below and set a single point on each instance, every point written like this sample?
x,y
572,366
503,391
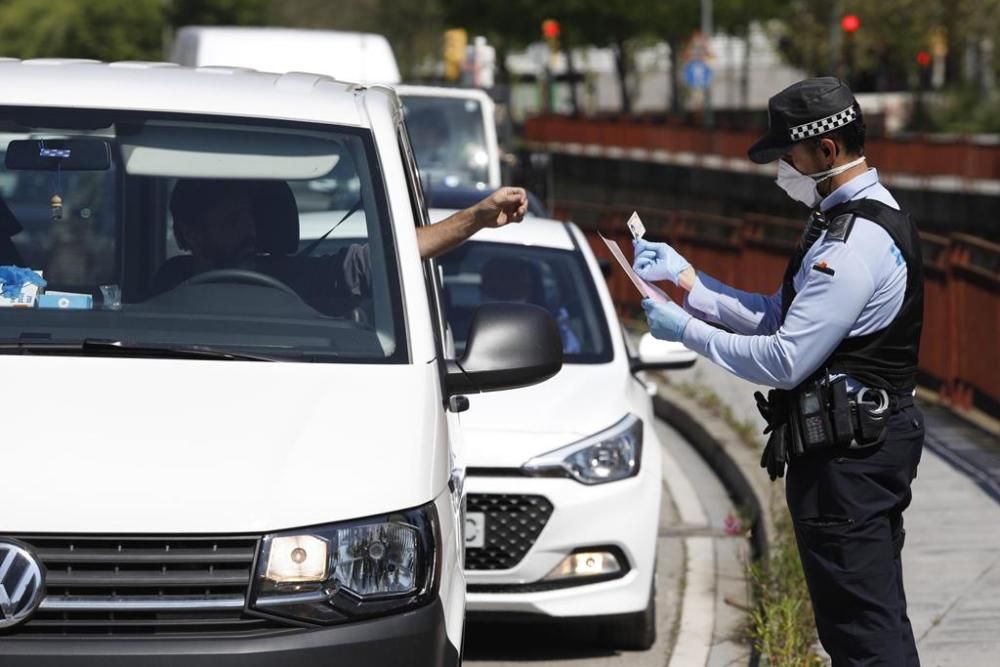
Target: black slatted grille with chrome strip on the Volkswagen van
x,y
144,586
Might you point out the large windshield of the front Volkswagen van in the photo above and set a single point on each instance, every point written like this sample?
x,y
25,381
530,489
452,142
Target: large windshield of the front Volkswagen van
x,y
184,234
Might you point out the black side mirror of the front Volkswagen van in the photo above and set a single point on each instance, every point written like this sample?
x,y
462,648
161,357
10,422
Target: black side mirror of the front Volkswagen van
x,y
509,345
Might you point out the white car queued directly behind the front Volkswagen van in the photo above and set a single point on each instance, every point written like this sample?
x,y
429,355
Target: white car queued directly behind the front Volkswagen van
x,y
564,478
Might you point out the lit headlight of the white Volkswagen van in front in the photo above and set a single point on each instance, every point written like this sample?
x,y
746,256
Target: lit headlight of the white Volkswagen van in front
x,y
351,570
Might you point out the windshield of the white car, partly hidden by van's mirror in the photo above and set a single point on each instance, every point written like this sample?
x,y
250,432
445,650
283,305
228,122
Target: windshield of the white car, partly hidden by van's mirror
x,y
557,280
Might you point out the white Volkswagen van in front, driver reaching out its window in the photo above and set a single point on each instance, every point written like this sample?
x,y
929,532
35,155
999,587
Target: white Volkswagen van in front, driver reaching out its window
x,y
241,453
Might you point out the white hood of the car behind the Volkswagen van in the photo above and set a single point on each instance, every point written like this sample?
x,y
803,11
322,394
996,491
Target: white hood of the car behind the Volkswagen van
x,y
506,428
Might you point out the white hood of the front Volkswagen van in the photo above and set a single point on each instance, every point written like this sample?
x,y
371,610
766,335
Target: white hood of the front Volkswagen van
x,y
111,445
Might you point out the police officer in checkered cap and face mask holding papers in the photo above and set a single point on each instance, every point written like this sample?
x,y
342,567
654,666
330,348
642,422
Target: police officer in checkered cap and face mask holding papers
x,y
839,342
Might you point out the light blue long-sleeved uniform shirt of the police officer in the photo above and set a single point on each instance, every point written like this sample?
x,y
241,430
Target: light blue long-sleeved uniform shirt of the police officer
x,y
863,296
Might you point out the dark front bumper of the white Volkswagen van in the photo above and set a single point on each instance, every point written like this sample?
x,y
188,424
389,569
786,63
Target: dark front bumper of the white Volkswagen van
x,y
414,638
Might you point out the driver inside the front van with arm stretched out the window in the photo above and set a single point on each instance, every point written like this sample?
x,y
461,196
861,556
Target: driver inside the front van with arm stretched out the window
x,y
220,223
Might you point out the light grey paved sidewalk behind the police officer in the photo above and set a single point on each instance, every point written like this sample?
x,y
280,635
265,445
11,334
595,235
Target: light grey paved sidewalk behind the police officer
x,y
951,560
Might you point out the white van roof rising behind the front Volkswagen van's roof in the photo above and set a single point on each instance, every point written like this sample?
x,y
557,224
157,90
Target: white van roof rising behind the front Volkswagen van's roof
x,y
346,56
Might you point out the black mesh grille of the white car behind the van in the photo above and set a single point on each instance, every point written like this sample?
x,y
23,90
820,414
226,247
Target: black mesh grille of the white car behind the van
x,y
513,524
